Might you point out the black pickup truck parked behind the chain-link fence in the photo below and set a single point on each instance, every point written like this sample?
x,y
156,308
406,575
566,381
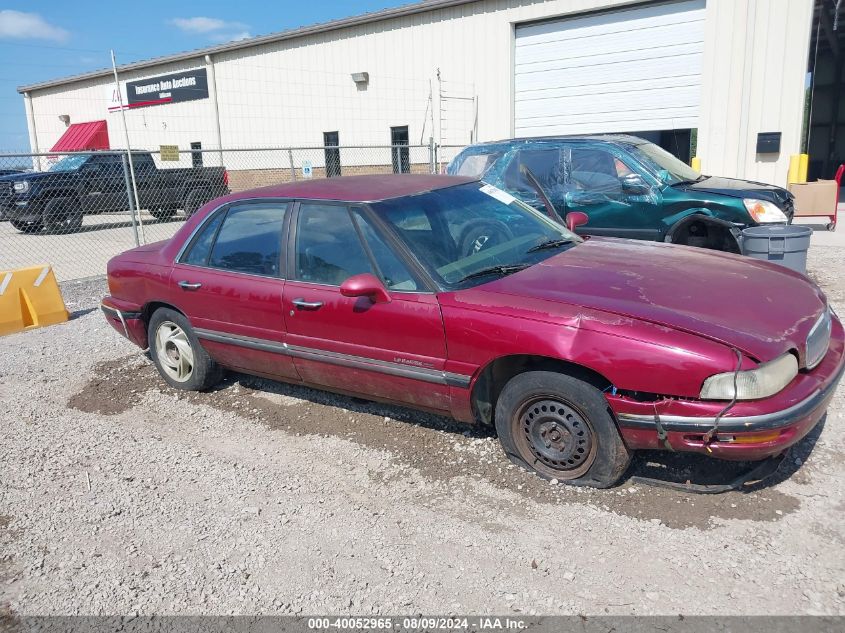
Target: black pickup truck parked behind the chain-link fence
x,y
81,184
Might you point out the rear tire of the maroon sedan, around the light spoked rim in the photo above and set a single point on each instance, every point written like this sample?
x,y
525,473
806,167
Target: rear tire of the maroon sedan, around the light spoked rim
x,y
205,372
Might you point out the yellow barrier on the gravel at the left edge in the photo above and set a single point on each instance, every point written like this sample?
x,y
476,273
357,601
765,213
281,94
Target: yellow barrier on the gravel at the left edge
x,y
30,298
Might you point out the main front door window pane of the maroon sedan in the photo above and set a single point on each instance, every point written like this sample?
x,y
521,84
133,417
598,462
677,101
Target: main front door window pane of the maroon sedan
x,y
327,249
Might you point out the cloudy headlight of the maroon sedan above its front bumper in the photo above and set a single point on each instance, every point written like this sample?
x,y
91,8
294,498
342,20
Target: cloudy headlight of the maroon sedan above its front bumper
x,y
761,382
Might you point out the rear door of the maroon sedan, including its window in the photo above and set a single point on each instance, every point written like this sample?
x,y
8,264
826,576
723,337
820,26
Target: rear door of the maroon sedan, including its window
x,y
229,283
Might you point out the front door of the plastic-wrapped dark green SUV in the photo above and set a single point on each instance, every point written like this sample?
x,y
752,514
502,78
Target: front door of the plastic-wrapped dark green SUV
x,y
619,201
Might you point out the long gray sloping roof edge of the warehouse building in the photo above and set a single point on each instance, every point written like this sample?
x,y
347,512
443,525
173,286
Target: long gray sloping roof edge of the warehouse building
x,y
322,27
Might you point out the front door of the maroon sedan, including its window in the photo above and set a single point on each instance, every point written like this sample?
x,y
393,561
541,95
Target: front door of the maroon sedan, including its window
x,y
394,351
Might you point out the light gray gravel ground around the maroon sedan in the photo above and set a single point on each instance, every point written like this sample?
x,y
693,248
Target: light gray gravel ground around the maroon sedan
x,y
119,495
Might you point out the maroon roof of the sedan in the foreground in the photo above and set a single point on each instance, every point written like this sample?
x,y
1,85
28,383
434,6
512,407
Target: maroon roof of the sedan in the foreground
x,y
371,188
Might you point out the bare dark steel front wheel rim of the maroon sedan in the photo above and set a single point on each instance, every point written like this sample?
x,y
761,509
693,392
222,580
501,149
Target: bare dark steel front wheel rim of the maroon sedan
x,y
554,437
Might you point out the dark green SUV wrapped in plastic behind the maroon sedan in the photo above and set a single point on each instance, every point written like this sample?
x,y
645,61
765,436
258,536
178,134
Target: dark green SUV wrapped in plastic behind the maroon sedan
x,y
629,187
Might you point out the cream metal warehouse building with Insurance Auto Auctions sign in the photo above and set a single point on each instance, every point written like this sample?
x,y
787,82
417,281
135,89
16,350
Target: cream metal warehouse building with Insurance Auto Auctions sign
x,y
717,73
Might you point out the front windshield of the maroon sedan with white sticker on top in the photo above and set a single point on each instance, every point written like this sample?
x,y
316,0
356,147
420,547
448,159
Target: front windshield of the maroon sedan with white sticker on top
x,y
474,233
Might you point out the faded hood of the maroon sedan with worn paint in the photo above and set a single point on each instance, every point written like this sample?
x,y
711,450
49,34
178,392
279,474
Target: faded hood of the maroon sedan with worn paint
x,y
759,308
